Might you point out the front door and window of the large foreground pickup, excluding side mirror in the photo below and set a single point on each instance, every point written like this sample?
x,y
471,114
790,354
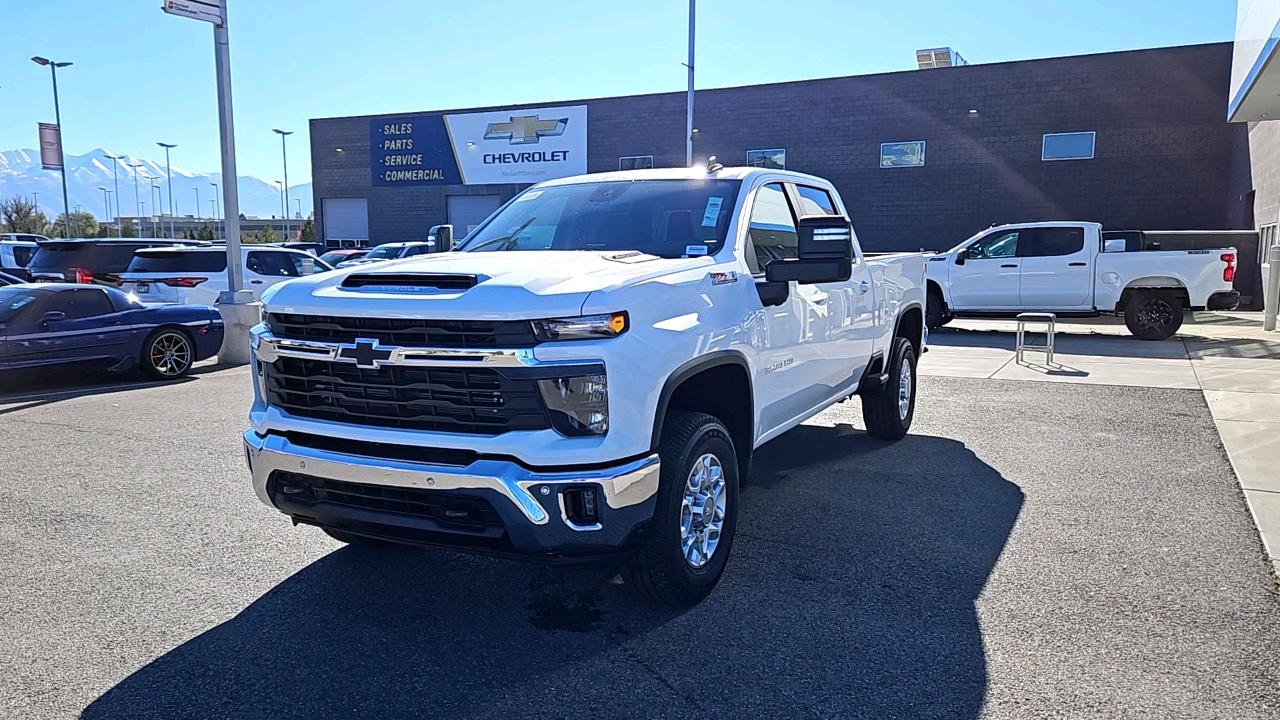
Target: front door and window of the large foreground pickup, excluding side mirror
x,y
794,356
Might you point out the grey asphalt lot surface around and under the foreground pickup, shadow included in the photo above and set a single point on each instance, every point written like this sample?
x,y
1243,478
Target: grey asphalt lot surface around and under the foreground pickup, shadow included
x,y
1032,550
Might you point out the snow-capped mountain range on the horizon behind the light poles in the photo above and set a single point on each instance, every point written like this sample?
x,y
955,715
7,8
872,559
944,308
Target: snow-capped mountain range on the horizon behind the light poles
x,y
21,175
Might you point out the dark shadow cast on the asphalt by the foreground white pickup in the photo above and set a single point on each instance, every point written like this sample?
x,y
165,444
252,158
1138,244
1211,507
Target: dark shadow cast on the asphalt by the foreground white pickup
x,y
851,594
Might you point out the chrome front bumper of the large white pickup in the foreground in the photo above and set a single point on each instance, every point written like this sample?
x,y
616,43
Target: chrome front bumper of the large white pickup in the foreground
x,y
529,499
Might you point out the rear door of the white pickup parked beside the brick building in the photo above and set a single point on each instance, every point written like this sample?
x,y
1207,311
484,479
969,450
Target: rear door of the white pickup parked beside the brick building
x,y
1057,270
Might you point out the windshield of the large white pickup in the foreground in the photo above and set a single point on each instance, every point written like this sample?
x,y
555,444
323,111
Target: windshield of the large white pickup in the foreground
x,y
670,218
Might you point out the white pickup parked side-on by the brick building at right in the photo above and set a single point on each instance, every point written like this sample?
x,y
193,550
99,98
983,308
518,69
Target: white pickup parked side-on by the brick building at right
x,y
1069,270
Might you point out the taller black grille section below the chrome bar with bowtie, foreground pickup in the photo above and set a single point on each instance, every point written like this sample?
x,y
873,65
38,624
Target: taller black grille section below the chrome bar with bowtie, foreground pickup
x,y
458,400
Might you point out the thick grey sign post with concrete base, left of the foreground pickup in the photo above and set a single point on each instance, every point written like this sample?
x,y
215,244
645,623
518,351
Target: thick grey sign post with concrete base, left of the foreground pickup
x,y
237,307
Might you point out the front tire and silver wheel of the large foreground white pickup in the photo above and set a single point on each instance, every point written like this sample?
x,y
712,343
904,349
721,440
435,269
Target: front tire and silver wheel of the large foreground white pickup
x,y
683,553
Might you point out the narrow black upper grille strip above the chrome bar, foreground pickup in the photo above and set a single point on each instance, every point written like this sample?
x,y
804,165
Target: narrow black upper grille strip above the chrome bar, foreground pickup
x,y
405,332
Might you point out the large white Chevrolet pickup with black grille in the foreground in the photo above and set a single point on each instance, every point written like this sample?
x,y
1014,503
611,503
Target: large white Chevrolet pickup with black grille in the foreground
x,y
587,375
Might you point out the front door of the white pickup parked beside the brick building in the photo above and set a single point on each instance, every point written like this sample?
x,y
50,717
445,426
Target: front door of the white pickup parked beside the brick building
x,y
986,275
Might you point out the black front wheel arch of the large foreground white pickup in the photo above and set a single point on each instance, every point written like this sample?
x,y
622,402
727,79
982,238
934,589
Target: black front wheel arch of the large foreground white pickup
x,y
717,384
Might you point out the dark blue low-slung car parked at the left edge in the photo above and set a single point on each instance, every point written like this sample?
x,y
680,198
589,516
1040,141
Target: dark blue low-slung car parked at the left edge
x,y
99,327
